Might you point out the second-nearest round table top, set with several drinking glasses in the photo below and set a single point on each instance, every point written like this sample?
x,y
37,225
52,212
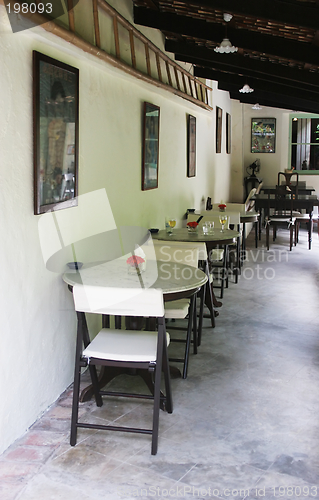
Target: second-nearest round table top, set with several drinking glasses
x,y
217,237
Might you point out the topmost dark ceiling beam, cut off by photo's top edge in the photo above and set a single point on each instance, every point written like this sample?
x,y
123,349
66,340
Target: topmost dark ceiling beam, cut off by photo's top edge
x,y
286,12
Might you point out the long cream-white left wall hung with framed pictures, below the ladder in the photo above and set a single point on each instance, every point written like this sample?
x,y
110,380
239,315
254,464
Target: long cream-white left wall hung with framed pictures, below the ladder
x,y
38,321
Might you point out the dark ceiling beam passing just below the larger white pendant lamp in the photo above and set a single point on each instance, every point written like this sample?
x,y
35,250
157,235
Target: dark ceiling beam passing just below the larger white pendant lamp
x,y
238,63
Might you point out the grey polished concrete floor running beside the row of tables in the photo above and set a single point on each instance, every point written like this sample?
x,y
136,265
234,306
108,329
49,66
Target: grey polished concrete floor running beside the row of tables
x,y
245,421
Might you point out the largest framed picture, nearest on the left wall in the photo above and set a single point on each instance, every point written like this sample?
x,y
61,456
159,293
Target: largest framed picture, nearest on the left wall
x,y
55,132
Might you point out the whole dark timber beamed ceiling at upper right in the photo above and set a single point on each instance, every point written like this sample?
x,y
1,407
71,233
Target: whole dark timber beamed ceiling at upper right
x,y
278,45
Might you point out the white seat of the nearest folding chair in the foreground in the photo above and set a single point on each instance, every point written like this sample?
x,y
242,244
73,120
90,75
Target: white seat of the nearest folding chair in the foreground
x,y
123,345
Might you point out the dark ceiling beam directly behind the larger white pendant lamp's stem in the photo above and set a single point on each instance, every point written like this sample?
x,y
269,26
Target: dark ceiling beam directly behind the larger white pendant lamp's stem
x,y
214,32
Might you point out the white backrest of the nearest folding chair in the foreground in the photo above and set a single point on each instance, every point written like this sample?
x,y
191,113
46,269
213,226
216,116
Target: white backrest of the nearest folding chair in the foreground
x,y
119,301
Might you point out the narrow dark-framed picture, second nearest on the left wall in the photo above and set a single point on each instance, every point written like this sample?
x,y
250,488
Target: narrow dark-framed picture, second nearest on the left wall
x,y
150,151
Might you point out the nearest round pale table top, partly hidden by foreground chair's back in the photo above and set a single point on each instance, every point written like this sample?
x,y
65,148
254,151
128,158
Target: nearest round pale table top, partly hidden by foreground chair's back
x,y
170,277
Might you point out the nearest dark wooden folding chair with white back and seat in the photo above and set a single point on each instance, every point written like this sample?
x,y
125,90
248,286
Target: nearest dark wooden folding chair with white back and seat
x,y
121,349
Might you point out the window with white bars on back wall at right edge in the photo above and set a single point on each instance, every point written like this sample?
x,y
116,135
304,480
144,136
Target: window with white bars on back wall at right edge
x,y
304,140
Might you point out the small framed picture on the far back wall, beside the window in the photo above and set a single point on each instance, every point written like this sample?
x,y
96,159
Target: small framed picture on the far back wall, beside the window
x,y
263,135
